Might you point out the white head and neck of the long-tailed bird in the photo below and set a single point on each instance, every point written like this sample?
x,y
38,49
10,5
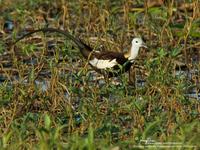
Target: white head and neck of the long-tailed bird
x,y
136,44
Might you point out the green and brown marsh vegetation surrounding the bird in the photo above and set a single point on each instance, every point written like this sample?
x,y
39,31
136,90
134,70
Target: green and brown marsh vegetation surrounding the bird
x,y
75,112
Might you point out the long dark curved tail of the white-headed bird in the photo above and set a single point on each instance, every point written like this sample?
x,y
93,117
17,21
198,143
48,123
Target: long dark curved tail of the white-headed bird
x,y
84,48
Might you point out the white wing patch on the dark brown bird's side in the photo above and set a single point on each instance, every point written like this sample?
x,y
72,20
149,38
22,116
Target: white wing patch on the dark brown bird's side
x,y
103,64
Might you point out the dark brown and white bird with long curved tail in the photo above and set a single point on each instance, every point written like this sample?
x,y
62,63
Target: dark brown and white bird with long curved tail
x,y
108,63
